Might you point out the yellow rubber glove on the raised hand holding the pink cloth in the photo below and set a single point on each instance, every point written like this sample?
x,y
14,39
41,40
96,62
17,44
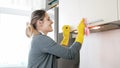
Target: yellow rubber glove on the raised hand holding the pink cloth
x,y
80,29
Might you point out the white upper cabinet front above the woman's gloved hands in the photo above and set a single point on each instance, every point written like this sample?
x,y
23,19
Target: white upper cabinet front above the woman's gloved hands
x,y
71,11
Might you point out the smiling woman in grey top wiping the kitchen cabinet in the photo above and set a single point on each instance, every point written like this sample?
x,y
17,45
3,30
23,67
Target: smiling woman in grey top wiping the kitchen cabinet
x,y
44,50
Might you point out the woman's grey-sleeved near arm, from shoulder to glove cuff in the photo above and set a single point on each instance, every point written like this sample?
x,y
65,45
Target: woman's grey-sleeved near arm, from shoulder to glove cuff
x,y
47,45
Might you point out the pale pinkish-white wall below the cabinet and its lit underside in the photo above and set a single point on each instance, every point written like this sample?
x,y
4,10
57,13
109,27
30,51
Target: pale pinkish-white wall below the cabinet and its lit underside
x,y
101,50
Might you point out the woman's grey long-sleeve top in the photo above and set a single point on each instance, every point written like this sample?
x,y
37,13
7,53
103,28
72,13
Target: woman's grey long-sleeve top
x,y
44,51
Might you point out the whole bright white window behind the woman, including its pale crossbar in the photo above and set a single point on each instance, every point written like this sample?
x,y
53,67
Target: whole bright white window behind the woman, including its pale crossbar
x,y
14,45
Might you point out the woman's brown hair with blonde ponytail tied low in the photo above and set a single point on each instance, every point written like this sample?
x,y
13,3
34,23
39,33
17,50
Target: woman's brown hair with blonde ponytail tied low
x,y
31,28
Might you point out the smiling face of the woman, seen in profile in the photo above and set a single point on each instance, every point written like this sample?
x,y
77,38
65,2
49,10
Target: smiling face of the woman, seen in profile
x,y
47,24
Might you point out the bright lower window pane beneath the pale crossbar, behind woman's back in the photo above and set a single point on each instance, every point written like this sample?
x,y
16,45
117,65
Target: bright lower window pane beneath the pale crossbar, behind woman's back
x,y
14,44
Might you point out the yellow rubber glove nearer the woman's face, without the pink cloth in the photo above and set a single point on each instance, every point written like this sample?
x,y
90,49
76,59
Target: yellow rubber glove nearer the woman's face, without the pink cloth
x,y
66,34
